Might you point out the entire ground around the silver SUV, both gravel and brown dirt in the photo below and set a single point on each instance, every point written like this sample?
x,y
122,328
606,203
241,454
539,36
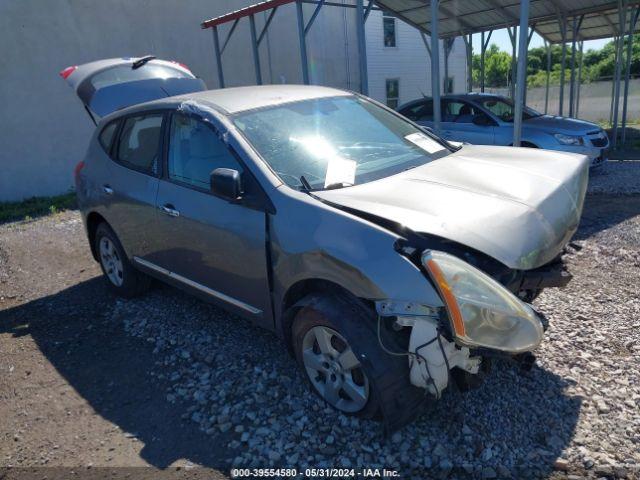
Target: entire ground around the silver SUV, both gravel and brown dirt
x,y
168,381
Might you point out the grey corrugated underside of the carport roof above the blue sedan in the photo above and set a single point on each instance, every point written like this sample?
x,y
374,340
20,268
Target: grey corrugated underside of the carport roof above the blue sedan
x,y
459,17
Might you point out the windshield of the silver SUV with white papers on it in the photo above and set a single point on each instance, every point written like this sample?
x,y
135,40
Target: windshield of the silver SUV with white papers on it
x,y
336,142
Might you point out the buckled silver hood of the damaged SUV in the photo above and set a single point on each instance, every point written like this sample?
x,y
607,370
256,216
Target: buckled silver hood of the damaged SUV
x,y
518,205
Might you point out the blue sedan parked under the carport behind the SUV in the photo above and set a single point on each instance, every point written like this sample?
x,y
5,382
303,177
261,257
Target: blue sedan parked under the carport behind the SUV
x,y
486,119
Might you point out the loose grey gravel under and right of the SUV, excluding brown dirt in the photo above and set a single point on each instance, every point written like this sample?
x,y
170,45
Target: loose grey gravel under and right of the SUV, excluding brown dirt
x,y
576,413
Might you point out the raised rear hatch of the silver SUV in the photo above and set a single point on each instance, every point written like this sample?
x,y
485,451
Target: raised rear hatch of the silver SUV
x,y
108,85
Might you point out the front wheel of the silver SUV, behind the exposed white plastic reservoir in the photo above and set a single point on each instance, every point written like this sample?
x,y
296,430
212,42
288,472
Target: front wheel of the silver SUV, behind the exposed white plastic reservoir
x,y
350,326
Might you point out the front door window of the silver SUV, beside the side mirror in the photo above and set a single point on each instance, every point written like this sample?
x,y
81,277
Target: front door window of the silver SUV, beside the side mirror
x,y
195,151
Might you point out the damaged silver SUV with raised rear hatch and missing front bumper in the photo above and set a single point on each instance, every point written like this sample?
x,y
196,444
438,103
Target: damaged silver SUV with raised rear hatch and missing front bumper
x,y
390,261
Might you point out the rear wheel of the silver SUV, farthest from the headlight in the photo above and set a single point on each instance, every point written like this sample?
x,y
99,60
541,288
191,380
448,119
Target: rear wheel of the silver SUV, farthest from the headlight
x,y
121,277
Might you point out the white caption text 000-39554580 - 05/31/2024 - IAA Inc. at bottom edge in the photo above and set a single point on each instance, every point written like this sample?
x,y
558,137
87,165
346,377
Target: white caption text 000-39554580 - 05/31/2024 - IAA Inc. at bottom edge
x,y
314,473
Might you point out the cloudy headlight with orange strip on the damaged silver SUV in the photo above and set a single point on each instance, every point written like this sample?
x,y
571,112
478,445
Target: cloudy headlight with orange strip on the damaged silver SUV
x,y
483,313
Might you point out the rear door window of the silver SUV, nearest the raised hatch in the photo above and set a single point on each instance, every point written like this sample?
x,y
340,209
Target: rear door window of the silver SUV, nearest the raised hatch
x,y
139,143
